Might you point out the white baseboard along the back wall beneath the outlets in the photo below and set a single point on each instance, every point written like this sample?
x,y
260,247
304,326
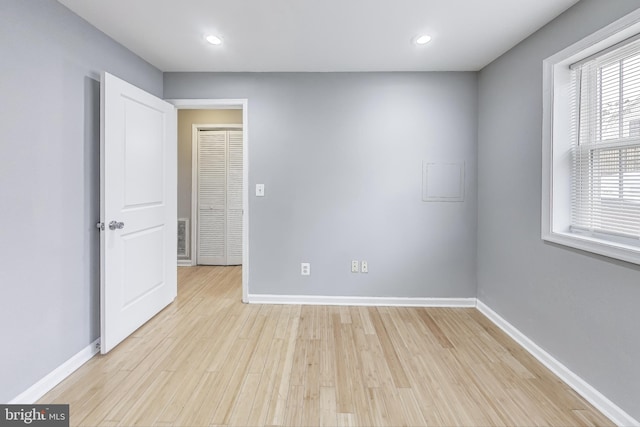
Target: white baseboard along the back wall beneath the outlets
x,y
368,301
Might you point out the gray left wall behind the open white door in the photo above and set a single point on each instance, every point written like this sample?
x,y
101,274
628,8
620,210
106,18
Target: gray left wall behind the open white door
x,y
49,183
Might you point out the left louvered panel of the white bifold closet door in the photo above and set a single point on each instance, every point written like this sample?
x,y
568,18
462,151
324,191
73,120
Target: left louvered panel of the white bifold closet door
x,y
211,197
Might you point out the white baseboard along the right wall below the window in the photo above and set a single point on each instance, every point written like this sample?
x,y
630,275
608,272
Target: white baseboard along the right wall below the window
x,y
591,395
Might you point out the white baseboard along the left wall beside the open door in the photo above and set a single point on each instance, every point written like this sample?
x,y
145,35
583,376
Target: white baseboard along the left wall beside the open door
x,y
39,389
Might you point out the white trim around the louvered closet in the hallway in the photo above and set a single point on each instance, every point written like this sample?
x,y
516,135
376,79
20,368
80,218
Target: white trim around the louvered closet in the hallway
x,y
194,180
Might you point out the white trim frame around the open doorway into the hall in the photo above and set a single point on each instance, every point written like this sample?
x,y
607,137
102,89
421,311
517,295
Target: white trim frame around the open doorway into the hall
x,y
222,104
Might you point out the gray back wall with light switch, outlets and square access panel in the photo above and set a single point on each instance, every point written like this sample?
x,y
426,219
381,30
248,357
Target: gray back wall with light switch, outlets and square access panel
x,y
341,157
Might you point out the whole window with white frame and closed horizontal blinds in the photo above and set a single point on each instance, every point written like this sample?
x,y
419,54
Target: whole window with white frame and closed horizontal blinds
x,y
591,143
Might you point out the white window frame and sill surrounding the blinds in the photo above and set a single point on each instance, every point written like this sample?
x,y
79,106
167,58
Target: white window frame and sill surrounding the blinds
x,y
556,143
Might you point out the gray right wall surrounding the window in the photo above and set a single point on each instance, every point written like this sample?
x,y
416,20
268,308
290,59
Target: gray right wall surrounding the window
x,y
581,308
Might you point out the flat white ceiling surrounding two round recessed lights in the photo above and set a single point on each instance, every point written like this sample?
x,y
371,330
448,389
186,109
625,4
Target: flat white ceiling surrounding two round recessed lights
x,y
318,35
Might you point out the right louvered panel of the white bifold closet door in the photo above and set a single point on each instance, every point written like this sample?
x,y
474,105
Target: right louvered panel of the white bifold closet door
x,y
234,198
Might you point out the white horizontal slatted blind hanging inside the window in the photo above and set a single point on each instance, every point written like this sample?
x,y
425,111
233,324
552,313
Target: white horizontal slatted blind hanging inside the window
x,y
605,127
